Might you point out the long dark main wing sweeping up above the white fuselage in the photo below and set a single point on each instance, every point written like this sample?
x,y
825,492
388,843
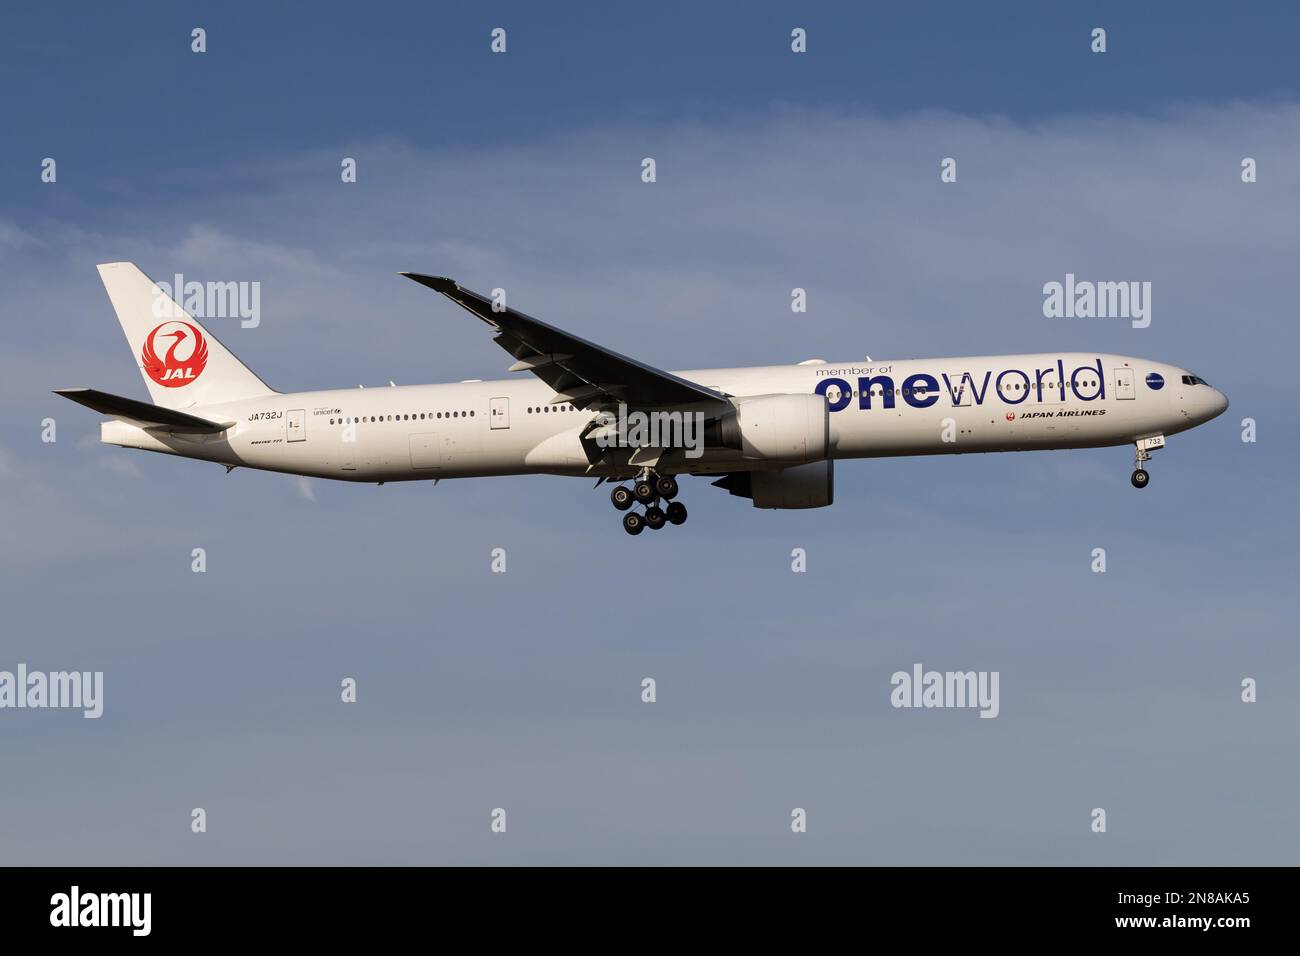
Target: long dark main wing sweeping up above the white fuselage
x,y
582,373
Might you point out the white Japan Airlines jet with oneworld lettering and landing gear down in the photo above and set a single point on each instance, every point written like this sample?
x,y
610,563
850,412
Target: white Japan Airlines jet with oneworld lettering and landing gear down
x,y
768,434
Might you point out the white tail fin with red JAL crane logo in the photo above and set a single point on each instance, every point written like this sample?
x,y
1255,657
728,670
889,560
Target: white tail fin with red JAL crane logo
x,y
184,365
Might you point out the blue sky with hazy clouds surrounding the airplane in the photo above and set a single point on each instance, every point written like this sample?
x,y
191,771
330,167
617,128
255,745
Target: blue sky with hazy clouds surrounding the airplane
x,y
523,690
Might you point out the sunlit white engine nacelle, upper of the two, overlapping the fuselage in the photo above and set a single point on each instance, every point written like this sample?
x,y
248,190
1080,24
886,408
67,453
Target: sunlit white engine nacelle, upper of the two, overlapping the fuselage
x,y
779,429
